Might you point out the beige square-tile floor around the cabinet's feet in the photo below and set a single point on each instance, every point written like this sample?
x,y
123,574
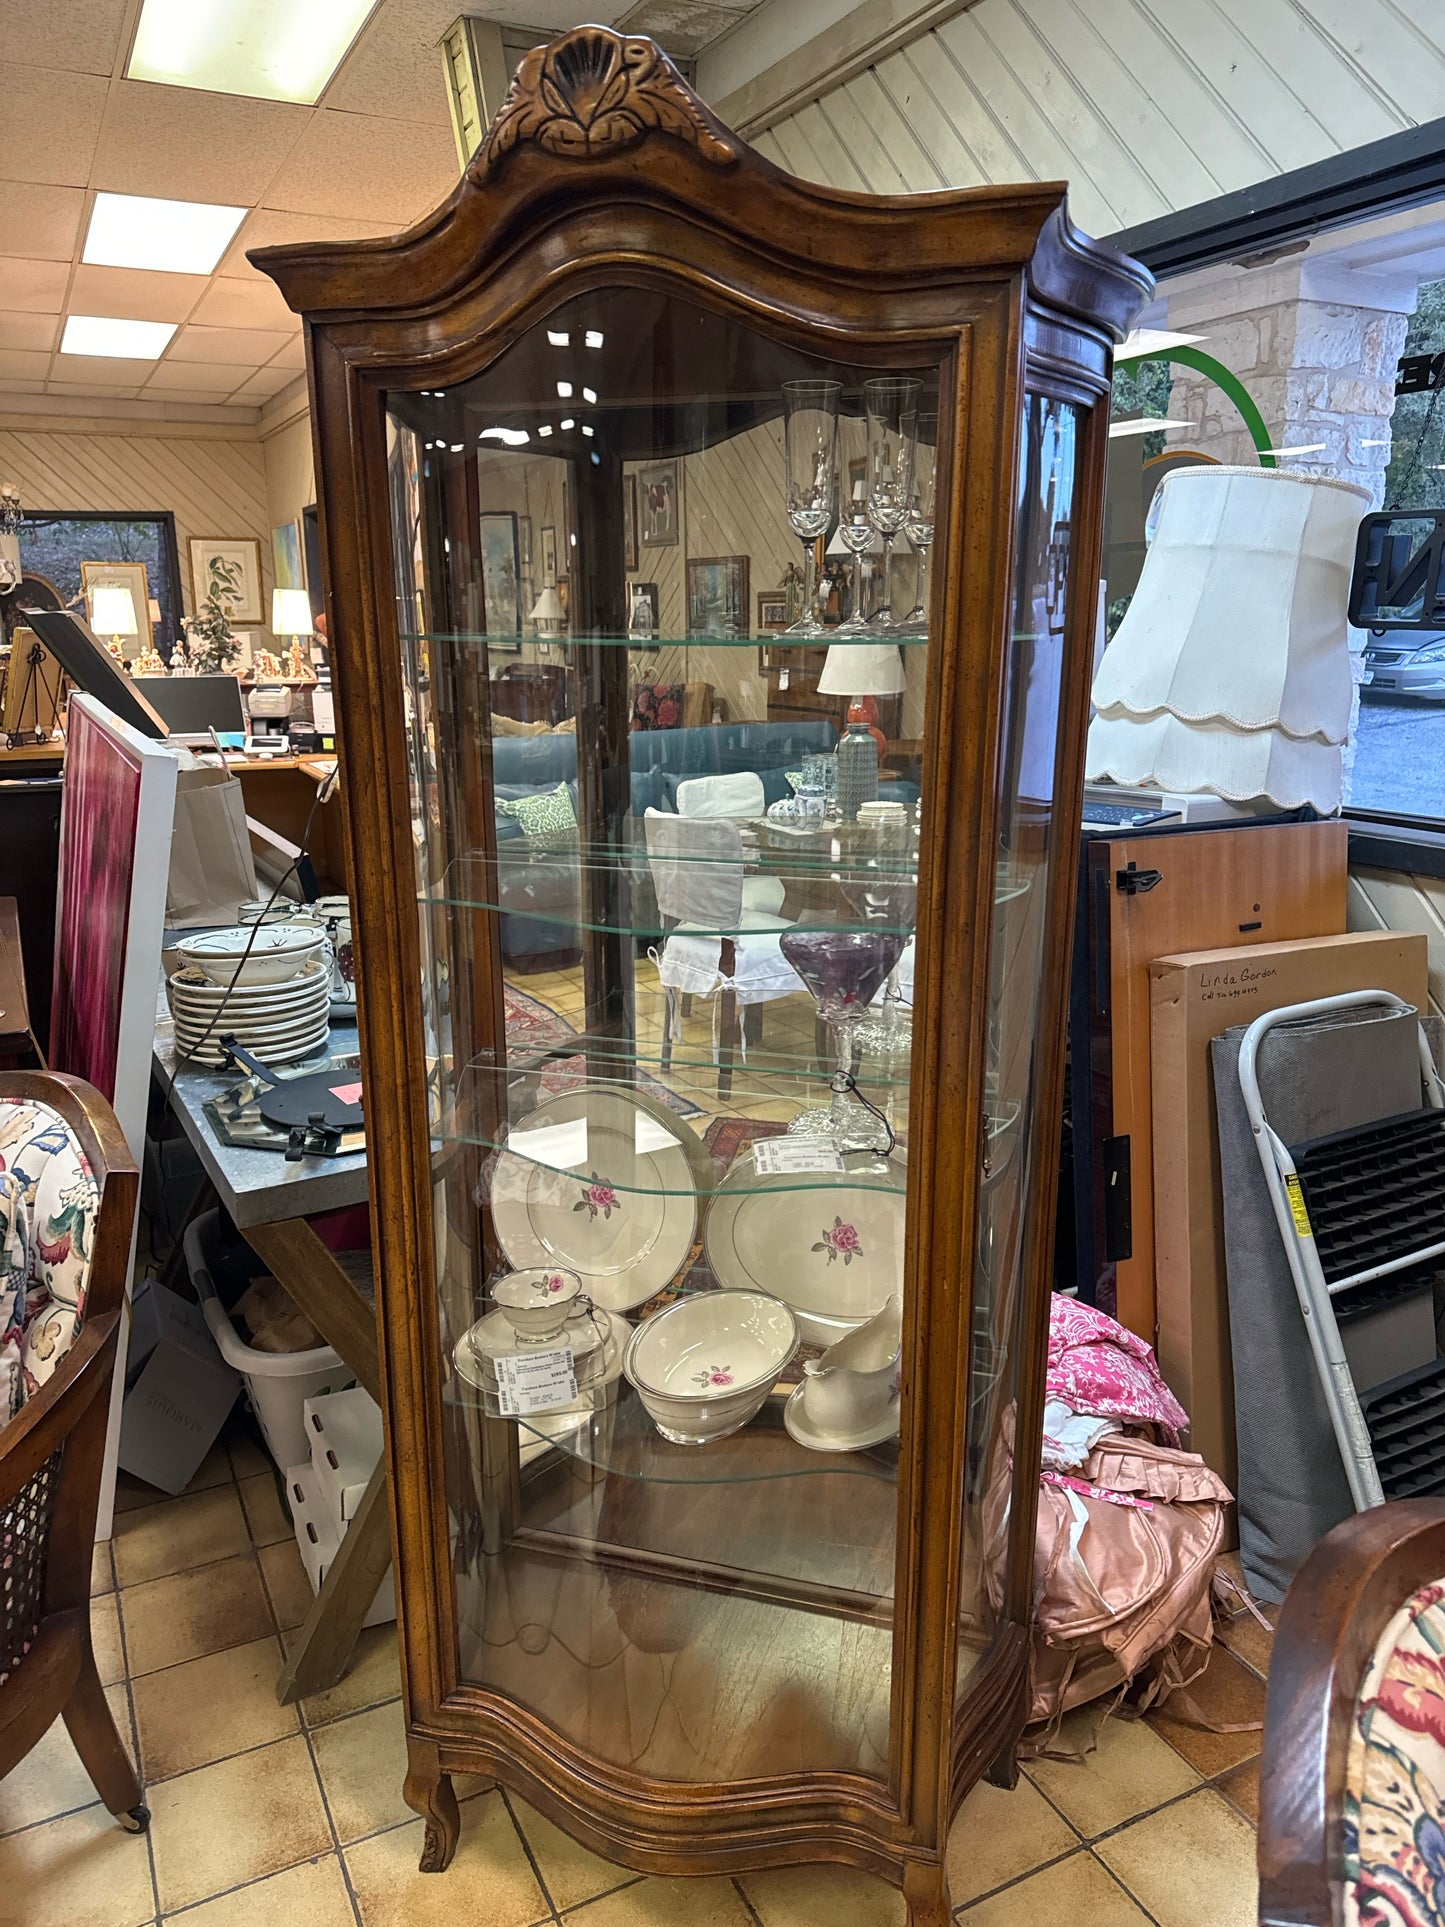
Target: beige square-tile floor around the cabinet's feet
x,y
271,1816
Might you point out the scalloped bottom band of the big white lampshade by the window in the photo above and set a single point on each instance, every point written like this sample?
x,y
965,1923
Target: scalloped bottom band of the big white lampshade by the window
x,y
1244,766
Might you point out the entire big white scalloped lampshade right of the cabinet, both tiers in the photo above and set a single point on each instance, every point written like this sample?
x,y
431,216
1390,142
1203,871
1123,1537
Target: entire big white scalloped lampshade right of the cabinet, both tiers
x,y
1230,673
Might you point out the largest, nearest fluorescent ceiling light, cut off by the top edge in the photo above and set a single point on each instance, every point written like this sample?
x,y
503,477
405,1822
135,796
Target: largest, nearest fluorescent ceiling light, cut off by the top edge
x,y
265,49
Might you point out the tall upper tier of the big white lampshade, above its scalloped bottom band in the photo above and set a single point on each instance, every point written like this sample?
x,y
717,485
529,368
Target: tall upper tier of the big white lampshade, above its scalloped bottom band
x,y
1240,612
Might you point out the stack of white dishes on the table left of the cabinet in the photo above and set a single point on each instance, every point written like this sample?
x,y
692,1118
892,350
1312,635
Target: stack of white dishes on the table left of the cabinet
x,y
280,1018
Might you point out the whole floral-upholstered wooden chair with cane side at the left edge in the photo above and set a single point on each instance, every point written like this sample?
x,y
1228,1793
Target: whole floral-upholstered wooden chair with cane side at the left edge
x,y
68,1190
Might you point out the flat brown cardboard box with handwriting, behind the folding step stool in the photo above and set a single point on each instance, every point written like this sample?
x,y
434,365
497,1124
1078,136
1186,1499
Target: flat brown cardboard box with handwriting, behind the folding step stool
x,y
1195,997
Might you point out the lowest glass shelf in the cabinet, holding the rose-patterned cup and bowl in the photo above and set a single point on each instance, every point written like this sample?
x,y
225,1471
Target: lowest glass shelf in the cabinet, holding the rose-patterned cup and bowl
x,y
621,1440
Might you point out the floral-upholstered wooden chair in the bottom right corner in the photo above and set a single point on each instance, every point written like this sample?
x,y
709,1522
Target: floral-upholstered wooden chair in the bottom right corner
x,y
1353,1772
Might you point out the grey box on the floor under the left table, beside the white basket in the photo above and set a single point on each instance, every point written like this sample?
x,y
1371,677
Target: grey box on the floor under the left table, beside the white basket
x,y
178,1390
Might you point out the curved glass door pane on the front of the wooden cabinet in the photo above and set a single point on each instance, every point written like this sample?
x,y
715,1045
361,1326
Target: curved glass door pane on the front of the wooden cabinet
x,y
668,911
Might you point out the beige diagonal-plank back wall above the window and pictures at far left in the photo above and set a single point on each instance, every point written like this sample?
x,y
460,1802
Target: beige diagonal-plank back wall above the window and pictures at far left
x,y
213,481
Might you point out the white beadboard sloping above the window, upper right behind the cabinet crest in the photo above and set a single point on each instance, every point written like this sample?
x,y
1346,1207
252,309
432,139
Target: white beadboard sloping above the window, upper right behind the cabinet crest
x,y
1143,107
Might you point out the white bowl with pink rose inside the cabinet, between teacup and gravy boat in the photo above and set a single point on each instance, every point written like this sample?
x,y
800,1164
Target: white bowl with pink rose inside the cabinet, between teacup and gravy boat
x,y
706,1365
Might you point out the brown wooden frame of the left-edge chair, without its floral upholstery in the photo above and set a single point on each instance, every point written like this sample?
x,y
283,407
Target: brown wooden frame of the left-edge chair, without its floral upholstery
x,y
51,1458
